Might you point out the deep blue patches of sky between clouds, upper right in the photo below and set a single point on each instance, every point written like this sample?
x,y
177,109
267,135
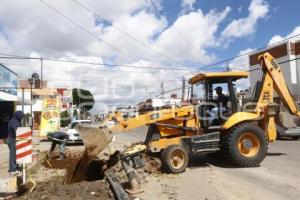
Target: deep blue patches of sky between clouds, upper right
x,y
282,18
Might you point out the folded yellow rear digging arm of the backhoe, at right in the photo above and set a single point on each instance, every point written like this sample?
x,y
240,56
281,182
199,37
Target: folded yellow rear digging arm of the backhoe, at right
x,y
273,79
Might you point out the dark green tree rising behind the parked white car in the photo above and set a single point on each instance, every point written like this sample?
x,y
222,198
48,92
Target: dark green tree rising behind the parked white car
x,y
83,99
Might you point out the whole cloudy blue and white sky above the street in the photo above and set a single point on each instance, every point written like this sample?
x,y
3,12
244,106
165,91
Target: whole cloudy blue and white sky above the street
x,y
181,36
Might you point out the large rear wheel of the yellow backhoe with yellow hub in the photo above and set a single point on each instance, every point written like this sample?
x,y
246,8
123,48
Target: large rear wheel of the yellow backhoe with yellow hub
x,y
245,145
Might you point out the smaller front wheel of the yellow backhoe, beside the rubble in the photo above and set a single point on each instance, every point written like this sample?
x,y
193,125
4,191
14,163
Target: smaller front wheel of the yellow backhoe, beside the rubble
x,y
174,159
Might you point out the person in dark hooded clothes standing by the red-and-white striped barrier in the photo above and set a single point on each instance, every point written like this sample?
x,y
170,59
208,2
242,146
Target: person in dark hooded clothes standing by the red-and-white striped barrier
x,y
13,125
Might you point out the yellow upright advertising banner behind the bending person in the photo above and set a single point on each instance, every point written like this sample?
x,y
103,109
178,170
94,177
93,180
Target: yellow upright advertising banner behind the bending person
x,y
50,118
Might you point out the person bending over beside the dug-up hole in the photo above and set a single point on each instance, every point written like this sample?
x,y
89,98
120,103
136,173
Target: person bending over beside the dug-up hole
x,y
58,138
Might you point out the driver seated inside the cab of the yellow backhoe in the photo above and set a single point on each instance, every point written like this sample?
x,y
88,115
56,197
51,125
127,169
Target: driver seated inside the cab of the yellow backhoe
x,y
221,102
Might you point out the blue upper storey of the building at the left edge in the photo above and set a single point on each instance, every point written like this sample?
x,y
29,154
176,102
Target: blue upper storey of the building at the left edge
x,y
8,84
